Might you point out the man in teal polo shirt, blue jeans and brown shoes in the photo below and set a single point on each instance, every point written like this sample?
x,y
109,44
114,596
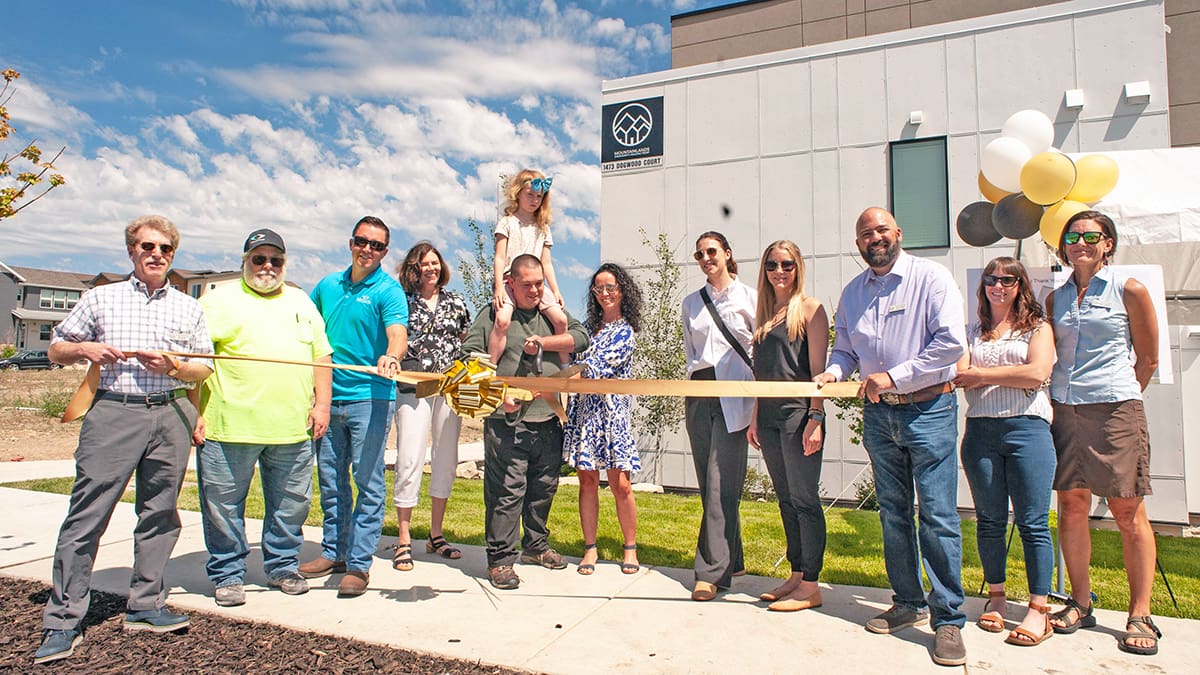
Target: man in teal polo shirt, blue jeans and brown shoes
x,y
367,318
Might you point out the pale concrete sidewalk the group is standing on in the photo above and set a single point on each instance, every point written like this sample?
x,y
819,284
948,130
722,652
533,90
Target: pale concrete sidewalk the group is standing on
x,y
563,623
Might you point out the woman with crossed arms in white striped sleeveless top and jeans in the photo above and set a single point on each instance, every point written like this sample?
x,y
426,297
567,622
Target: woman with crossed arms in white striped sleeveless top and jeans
x,y
1007,449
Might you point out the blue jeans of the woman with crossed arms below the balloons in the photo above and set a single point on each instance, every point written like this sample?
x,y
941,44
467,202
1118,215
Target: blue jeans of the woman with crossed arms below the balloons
x,y
1012,458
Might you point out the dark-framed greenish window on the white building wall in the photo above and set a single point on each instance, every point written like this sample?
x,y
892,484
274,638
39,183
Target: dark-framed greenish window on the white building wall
x,y
921,198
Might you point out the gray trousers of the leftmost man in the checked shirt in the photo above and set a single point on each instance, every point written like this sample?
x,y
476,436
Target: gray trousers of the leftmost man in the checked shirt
x,y
116,441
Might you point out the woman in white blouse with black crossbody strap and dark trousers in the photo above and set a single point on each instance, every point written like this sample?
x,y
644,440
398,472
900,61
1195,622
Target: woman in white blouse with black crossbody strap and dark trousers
x,y
717,428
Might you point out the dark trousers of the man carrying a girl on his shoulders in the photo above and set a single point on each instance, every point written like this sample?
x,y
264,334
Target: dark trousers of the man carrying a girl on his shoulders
x,y
520,480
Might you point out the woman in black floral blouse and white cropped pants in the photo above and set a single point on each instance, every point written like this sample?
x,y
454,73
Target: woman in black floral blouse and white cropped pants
x,y
437,324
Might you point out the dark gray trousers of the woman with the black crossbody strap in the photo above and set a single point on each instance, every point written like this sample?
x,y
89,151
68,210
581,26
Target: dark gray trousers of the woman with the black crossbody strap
x,y
721,459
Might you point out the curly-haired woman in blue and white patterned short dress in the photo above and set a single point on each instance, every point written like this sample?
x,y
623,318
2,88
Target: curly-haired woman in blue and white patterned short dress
x,y
598,435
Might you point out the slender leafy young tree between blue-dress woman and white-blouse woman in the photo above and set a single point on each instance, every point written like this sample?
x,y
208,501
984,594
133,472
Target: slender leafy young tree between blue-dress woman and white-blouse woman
x,y
659,355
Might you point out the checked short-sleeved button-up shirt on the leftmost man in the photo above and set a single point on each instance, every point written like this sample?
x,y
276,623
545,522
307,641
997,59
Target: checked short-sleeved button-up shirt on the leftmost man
x,y
129,318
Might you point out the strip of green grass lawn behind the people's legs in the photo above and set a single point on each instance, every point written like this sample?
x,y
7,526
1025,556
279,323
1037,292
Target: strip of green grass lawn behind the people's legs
x,y
668,527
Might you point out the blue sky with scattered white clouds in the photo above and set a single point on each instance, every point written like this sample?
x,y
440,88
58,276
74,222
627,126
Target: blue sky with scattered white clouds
x,y
303,116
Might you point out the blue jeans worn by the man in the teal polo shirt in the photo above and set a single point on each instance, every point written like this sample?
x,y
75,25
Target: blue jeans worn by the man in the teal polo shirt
x,y
358,432
